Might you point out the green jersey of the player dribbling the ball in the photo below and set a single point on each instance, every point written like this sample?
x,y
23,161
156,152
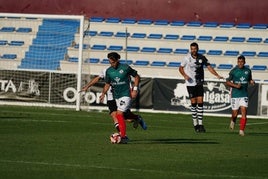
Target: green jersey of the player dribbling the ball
x,y
119,79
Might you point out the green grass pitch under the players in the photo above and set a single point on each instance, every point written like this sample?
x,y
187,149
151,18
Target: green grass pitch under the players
x,y
58,143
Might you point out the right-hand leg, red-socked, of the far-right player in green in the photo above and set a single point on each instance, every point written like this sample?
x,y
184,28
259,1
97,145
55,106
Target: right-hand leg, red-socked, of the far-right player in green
x,y
243,120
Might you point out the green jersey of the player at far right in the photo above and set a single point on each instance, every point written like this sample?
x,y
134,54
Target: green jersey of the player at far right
x,y
242,76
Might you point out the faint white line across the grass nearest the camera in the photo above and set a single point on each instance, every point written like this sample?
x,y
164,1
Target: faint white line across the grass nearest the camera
x,y
120,169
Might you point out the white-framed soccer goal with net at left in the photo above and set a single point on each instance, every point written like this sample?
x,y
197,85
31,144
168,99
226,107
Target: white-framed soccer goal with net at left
x,y
42,59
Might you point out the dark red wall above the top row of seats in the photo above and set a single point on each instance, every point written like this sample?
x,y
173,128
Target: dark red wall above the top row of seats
x,y
188,10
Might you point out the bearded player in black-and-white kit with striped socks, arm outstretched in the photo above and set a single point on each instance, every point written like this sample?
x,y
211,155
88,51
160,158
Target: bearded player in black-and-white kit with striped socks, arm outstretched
x,y
192,70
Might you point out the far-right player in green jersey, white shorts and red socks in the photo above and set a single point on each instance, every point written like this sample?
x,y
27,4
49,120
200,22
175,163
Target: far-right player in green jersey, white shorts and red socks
x,y
238,80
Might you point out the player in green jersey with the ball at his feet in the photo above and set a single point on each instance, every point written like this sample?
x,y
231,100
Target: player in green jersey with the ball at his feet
x,y
118,77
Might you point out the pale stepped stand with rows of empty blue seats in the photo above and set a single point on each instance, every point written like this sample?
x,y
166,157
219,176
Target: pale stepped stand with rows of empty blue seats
x,y
146,44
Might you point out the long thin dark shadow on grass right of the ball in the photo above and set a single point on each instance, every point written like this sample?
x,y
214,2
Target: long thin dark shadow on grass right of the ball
x,y
174,141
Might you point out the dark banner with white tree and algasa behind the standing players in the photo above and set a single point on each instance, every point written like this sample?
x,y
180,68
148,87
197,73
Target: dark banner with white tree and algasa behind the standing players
x,y
172,95
